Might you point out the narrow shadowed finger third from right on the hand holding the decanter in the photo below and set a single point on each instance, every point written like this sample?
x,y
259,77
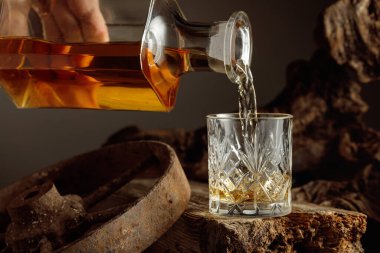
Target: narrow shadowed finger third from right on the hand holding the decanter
x,y
50,27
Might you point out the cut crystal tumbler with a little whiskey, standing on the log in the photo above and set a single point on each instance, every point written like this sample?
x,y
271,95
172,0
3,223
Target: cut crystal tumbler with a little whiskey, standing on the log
x,y
250,176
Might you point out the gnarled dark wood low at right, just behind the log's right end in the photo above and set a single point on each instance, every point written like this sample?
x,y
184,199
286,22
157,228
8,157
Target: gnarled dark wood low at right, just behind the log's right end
x,y
360,194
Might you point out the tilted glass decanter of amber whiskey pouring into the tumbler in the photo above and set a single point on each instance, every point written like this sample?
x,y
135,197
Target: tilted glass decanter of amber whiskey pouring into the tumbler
x,y
110,54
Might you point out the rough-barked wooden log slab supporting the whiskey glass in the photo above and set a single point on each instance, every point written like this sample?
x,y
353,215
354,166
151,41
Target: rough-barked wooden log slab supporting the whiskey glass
x,y
309,228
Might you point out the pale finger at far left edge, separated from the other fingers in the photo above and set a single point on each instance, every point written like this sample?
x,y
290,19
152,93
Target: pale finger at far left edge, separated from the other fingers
x,y
14,18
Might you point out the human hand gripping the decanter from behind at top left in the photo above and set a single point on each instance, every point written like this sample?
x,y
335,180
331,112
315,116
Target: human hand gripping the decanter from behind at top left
x,y
69,21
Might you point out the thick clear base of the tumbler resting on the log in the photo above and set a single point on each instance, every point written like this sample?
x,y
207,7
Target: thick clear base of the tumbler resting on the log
x,y
251,209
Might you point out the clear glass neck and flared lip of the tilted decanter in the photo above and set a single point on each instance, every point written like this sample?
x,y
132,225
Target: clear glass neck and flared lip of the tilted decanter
x,y
218,46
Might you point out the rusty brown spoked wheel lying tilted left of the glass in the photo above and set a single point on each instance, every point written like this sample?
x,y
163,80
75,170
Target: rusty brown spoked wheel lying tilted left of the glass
x,y
36,217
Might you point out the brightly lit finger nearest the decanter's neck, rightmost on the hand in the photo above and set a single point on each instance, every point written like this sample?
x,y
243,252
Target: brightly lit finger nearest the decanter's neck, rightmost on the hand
x,y
91,20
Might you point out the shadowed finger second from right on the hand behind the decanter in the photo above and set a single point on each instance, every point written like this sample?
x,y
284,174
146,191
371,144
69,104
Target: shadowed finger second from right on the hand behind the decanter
x,y
67,23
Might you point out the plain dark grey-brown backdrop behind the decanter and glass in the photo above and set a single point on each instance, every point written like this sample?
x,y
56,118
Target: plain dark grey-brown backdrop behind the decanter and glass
x,y
282,32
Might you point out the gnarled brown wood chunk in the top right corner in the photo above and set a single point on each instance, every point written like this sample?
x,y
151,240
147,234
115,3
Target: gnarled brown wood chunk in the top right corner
x,y
352,29
